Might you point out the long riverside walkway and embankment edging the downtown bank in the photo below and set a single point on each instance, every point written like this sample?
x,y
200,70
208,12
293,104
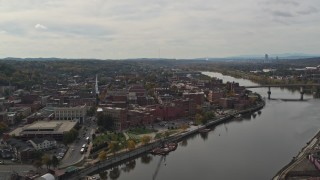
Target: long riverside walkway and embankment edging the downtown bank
x,y
118,158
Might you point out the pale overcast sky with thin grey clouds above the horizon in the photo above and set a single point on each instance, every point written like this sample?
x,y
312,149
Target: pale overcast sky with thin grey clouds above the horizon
x,y
120,29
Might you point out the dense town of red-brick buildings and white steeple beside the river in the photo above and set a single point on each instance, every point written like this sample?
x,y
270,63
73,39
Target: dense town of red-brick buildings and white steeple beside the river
x,y
56,121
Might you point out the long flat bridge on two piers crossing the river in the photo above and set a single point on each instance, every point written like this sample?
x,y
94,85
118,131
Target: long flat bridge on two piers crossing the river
x,y
269,86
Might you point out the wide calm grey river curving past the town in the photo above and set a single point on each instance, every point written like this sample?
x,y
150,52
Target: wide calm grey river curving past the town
x,y
252,148
